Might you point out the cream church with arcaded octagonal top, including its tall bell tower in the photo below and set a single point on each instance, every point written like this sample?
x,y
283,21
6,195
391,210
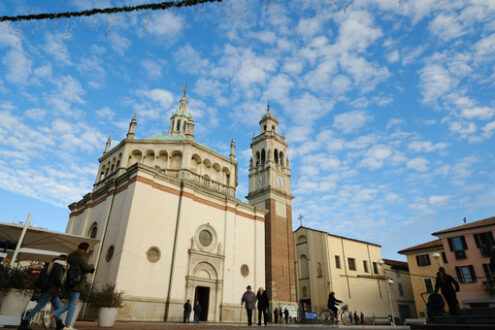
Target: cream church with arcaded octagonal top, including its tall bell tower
x,y
171,228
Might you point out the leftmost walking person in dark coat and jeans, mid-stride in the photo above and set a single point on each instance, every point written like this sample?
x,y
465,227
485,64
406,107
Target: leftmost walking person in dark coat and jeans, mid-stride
x,y
56,271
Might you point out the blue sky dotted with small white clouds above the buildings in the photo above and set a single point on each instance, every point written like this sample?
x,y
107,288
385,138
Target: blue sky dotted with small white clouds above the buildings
x,y
388,106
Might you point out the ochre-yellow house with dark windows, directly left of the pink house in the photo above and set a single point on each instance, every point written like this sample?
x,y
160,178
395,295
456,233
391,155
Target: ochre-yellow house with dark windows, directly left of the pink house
x,y
423,261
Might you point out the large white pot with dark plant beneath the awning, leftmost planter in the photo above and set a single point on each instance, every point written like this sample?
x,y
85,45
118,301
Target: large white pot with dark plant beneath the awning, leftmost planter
x,y
16,289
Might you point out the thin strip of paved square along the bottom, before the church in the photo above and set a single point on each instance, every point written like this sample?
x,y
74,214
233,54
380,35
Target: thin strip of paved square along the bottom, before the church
x,y
213,326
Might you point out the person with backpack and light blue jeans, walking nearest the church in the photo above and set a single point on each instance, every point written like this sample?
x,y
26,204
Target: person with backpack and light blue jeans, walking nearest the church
x,y
76,282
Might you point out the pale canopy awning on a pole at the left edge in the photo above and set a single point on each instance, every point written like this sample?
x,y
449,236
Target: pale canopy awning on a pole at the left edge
x,y
40,244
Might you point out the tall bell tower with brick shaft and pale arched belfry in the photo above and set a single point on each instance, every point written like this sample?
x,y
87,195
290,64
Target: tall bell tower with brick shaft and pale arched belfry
x,y
269,187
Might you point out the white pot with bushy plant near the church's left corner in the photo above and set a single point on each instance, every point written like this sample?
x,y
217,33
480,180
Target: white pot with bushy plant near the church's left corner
x,y
108,301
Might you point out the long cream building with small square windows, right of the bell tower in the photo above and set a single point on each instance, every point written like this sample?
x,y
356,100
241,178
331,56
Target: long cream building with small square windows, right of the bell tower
x,y
326,262
